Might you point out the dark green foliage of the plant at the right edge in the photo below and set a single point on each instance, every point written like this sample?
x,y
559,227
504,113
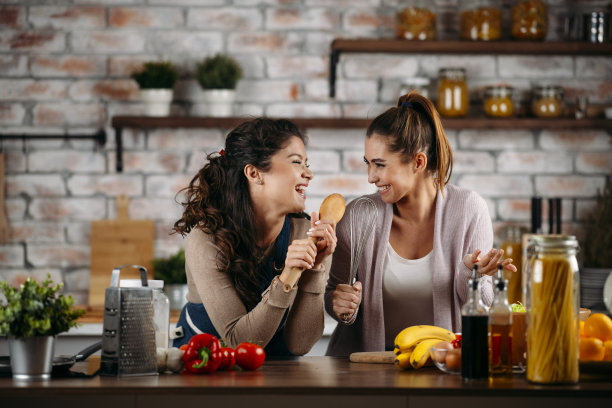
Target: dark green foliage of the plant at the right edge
x,y
598,232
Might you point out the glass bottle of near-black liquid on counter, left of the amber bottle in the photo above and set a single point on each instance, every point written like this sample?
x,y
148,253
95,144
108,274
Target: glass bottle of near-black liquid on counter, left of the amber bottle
x,y
474,333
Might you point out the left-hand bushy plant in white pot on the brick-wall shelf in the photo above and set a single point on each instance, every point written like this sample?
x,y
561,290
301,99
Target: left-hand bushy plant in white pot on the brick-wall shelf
x,y
156,80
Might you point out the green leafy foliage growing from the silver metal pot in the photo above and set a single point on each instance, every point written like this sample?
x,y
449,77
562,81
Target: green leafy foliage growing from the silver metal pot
x,y
36,309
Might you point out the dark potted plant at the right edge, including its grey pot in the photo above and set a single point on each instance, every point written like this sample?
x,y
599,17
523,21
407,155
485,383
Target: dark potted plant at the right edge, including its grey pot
x,y
595,249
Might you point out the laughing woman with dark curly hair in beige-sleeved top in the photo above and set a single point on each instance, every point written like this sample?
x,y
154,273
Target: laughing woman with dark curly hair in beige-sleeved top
x,y
245,227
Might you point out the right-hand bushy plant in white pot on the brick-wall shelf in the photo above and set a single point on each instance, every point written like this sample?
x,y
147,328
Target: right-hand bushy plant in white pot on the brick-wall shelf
x,y
218,76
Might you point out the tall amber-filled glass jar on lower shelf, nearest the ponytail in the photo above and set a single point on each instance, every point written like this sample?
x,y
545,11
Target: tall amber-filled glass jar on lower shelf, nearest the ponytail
x,y
453,98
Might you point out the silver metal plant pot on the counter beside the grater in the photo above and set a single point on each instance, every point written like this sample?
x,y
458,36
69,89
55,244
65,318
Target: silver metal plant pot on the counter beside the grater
x,y
32,358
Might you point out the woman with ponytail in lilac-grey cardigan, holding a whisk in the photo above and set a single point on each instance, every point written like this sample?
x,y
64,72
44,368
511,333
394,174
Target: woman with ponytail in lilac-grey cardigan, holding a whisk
x,y
416,263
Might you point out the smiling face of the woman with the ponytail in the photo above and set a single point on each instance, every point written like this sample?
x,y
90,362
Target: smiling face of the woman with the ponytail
x,y
393,178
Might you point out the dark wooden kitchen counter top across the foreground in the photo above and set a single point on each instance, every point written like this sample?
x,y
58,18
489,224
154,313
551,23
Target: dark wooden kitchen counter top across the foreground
x,y
301,382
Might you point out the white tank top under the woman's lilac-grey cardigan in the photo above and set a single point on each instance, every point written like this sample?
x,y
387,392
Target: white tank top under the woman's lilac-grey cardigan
x,y
407,293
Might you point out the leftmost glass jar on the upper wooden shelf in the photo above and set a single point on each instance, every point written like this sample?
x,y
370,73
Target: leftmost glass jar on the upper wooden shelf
x,y
416,20
